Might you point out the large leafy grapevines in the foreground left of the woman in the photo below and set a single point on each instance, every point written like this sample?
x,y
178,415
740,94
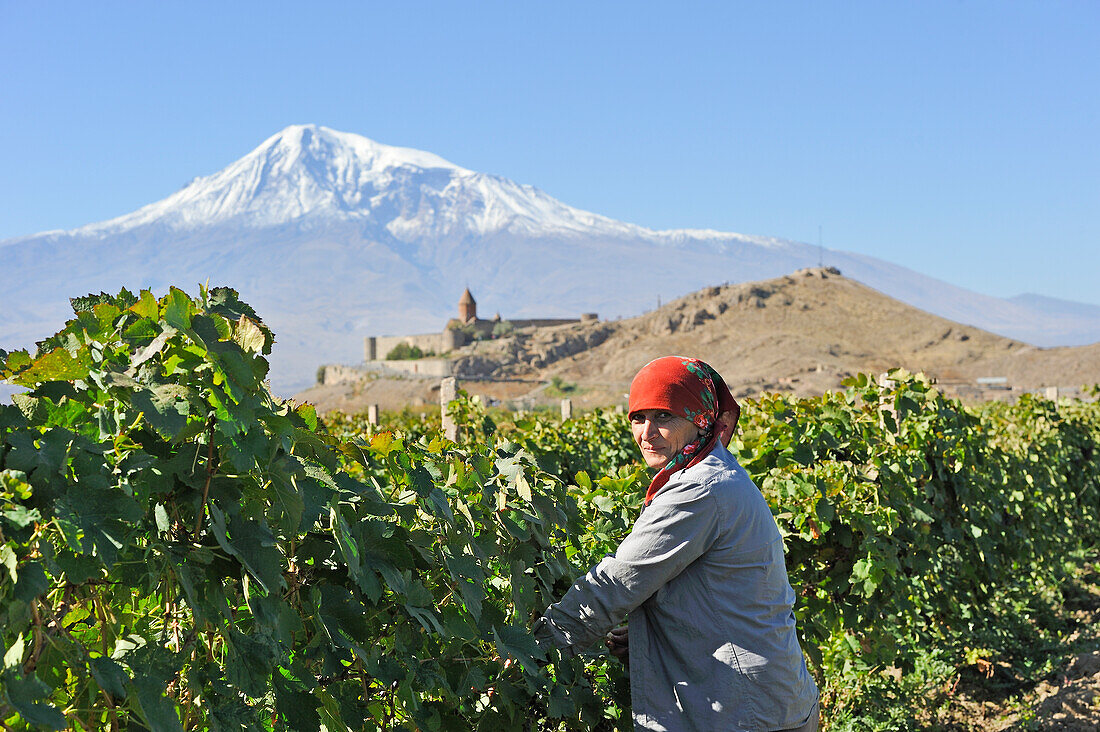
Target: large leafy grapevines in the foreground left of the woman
x,y
181,551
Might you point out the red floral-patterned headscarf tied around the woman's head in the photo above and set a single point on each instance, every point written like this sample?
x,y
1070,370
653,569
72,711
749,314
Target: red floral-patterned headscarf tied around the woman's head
x,y
689,389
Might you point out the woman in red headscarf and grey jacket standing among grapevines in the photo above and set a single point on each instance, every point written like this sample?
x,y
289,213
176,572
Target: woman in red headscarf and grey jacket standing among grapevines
x,y
712,642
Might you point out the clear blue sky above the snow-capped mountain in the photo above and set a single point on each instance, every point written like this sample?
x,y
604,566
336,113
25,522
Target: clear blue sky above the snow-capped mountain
x,y
961,139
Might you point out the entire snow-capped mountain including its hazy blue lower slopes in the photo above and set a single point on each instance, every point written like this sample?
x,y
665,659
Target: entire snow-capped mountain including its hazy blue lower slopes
x,y
334,237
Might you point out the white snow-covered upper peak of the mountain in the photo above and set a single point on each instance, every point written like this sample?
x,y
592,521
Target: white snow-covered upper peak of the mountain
x,y
314,173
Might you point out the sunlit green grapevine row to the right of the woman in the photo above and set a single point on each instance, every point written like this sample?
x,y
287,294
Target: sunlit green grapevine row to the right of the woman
x,y
914,522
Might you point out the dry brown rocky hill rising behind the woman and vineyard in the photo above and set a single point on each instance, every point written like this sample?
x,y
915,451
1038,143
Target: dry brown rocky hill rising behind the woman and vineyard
x,y
802,333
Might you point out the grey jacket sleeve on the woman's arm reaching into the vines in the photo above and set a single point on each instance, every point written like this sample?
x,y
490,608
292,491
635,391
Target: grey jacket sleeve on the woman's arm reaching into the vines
x,y
672,533
